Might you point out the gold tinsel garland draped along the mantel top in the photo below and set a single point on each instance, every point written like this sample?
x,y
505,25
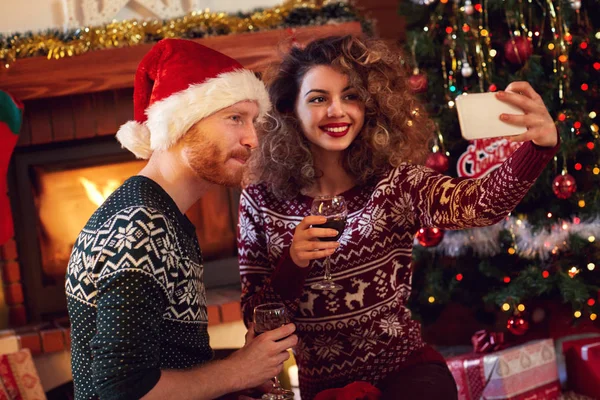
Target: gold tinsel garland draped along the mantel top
x,y
55,45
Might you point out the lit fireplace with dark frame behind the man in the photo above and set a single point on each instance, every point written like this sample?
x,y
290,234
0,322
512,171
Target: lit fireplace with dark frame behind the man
x,y
55,188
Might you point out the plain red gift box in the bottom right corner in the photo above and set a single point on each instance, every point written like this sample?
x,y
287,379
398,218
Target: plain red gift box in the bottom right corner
x,y
582,359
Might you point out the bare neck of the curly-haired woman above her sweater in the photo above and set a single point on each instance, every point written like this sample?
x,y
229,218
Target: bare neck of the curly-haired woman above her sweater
x,y
335,178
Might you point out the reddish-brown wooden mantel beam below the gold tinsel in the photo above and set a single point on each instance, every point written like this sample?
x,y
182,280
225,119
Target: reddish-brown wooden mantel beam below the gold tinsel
x,y
96,71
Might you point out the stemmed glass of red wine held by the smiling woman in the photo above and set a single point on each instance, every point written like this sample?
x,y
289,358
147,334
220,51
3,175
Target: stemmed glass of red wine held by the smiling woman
x,y
334,208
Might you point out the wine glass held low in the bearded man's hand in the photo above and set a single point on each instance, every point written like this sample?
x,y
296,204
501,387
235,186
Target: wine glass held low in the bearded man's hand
x,y
266,318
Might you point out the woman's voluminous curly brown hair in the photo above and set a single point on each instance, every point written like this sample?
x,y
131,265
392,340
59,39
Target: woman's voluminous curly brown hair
x,y
395,130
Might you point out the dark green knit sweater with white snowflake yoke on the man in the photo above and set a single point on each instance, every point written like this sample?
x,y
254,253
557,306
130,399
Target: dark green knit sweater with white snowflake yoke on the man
x,y
135,295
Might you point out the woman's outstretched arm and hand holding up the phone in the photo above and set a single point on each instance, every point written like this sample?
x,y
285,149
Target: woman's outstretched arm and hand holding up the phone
x,y
458,203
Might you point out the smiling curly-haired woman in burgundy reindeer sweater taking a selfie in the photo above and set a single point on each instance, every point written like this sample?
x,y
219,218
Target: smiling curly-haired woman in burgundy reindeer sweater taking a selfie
x,y
345,123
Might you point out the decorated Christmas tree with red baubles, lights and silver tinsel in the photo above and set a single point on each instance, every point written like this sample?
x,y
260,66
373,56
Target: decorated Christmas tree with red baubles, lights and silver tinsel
x,y
549,248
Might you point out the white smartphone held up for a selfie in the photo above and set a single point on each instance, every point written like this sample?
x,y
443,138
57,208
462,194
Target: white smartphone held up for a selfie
x,y
479,116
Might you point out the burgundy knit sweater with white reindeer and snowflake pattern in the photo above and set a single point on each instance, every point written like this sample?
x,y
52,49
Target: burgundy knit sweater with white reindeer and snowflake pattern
x,y
365,331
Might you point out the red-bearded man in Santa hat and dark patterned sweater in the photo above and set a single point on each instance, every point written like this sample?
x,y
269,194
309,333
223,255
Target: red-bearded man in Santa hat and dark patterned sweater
x,y
134,281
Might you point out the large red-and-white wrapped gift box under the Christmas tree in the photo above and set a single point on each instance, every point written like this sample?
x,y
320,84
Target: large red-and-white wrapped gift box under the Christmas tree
x,y
528,371
